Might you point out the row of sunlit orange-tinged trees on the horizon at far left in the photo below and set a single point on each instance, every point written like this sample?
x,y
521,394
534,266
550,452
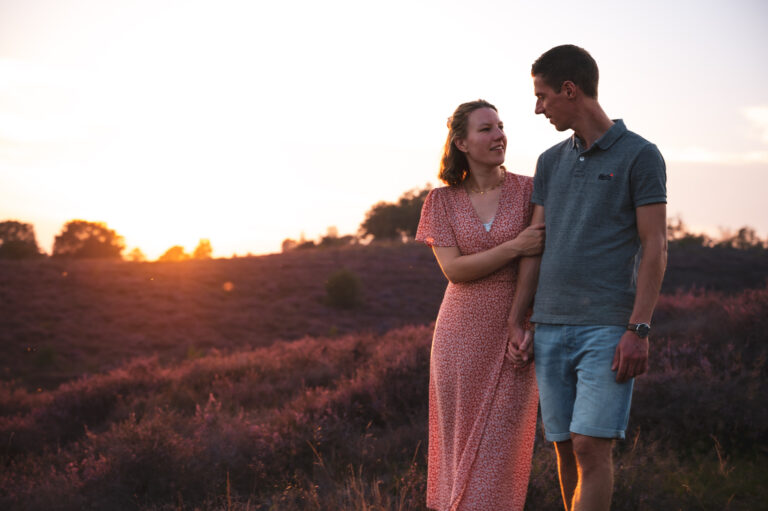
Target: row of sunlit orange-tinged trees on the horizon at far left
x,y
81,239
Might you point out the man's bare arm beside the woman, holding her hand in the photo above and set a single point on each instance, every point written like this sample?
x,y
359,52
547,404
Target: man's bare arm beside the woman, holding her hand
x,y
527,279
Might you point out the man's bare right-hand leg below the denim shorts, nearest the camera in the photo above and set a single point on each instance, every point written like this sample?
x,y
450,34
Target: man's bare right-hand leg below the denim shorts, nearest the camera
x,y
594,461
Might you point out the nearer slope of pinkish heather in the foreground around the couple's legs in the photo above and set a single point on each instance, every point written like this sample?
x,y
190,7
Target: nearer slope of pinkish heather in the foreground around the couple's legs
x,y
340,423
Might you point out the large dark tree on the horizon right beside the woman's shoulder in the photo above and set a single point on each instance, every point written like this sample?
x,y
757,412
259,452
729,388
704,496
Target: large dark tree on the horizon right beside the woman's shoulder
x,y
393,221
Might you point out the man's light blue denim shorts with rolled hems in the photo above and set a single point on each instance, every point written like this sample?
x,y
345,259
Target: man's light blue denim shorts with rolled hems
x,y
577,389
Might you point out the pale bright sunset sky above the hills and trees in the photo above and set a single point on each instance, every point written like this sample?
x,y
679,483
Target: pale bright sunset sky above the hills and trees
x,y
248,122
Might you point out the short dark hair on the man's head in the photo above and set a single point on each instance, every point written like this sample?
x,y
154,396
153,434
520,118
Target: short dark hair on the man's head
x,y
568,62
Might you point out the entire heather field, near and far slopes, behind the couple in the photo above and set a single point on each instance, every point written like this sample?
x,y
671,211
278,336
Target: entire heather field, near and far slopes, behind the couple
x,y
234,384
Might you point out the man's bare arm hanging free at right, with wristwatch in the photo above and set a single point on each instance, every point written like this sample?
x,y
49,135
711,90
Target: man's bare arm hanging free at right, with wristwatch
x,y
631,357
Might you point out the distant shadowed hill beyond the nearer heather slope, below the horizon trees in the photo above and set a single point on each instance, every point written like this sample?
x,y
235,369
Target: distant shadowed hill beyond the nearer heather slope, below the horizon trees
x,y
60,319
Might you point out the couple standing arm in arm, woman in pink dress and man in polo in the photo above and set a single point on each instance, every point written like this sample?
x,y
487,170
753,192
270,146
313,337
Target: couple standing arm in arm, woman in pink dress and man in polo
x,y
602,195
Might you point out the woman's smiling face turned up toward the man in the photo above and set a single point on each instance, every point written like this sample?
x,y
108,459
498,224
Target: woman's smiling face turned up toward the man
x,y
485,143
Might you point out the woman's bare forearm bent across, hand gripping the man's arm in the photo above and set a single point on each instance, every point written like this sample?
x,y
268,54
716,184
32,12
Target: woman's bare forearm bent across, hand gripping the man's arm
x,y
463,268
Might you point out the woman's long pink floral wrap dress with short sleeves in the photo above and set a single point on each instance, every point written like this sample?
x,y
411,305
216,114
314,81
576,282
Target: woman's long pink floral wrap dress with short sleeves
x,y
482,410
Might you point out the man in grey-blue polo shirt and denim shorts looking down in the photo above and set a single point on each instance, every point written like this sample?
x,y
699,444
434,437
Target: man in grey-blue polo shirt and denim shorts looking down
x,y
602,194
